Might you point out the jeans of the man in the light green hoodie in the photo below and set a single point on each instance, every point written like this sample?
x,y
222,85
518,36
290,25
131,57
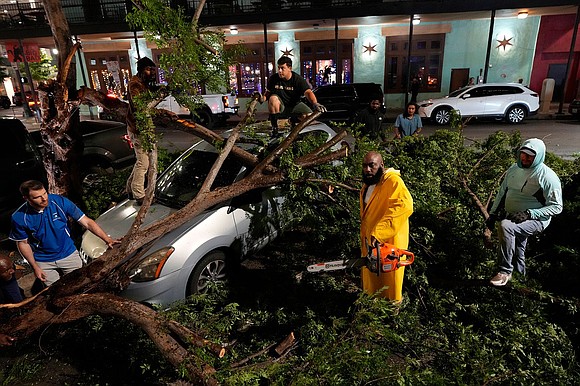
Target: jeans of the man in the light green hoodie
x,y
513,240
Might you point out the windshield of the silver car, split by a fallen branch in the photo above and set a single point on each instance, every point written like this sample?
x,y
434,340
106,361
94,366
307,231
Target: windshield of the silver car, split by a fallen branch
x,y
182,180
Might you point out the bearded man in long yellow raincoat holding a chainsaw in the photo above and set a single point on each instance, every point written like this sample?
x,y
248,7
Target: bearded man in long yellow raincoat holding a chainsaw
x,y
385,207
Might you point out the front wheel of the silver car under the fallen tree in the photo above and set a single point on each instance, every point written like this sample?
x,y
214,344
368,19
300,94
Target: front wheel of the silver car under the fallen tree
x,y
211,268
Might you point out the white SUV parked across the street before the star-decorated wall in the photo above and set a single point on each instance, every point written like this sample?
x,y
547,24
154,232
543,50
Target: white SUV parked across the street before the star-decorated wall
x,y
510,101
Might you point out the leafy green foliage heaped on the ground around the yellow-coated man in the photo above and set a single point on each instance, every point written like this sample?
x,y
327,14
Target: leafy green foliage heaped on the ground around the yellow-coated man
x,y
451,327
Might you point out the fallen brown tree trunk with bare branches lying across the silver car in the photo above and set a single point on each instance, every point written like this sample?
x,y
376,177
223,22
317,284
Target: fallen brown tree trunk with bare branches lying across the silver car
x,y
91,290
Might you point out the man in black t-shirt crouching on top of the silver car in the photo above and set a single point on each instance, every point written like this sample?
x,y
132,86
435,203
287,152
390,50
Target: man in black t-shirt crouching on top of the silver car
x,y
283,93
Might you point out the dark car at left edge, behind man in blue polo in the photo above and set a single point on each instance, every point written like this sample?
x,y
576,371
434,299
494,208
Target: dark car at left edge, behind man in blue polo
x,y
20,160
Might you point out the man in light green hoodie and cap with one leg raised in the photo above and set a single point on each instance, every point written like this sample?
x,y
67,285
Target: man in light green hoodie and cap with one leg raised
x,y
529,195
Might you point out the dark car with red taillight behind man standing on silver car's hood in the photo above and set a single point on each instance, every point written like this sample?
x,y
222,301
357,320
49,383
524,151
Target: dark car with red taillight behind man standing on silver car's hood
x,y
106,146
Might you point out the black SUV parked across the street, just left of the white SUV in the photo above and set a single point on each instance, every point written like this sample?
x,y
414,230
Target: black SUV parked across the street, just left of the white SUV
x,y
343,100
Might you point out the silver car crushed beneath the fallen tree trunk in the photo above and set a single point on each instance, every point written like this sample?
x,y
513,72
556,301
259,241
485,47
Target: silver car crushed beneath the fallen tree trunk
x,y
183,261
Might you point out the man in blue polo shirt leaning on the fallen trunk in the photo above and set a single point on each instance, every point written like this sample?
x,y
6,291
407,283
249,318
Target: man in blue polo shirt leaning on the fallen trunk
x,y
40,229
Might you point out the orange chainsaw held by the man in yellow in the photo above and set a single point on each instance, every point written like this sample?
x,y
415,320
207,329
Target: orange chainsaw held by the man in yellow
x,y
381,258
